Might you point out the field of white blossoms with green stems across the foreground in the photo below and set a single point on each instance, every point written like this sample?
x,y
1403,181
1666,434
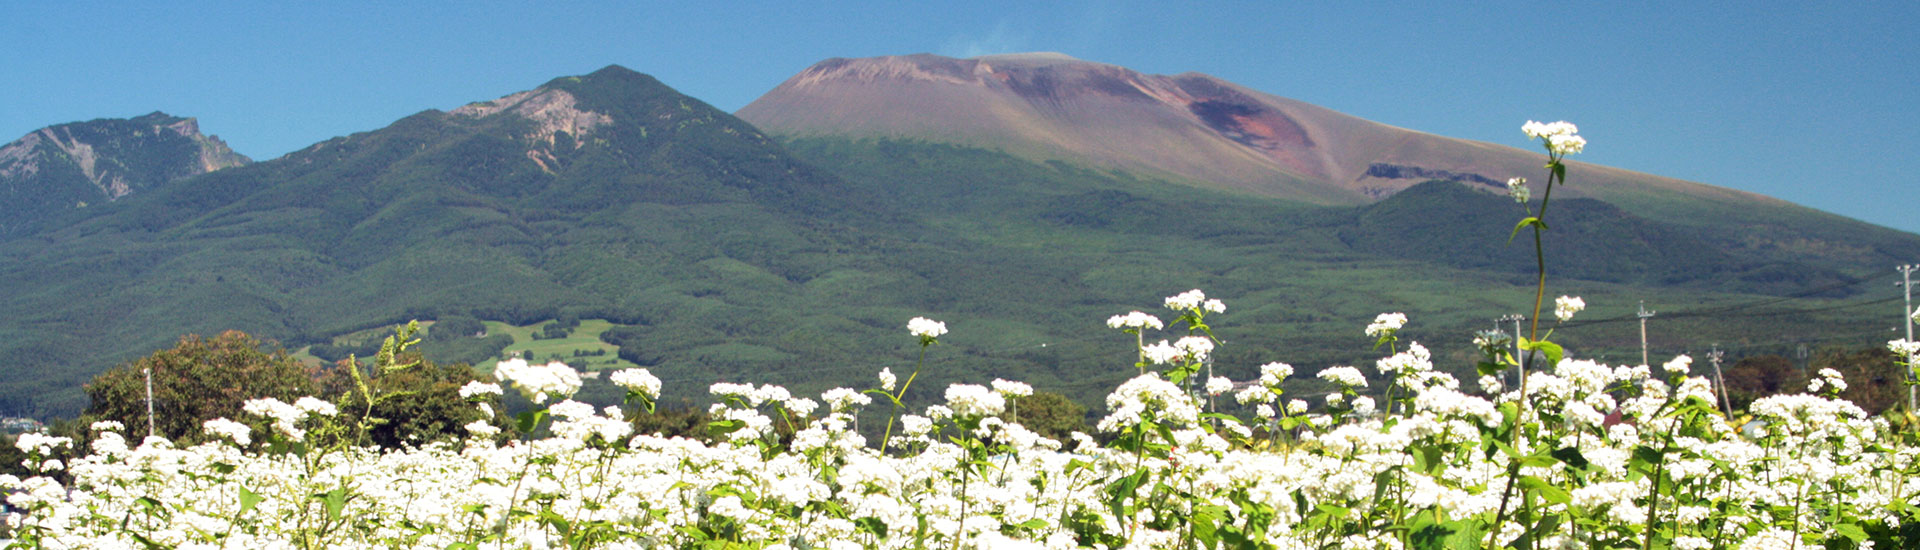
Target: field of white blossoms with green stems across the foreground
x,y
1591,457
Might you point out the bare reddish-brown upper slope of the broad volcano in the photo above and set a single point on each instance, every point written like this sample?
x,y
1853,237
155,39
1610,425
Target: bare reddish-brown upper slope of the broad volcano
x,y
1186,126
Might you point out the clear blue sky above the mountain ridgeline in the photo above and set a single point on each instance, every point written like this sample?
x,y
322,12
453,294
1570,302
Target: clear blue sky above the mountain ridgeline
x,y
1804,101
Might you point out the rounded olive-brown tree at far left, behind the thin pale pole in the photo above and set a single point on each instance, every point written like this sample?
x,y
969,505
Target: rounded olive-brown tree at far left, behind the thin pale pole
x,y
195,382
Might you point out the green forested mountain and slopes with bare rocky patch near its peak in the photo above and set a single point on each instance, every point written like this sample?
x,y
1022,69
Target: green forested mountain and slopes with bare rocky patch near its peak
x,y
721,253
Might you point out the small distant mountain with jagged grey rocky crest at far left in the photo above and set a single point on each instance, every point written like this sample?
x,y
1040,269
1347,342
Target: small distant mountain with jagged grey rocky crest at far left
x,y
62,168
